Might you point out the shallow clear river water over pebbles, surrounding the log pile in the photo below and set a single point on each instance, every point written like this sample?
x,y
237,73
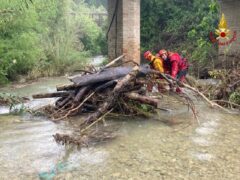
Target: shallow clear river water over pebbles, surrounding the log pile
x,y
165,147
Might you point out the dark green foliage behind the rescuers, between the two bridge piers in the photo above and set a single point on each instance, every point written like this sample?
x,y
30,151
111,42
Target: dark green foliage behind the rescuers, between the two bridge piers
x,y
181,26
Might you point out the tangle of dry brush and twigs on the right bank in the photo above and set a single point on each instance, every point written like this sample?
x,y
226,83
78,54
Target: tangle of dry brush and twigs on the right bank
x,y
223,88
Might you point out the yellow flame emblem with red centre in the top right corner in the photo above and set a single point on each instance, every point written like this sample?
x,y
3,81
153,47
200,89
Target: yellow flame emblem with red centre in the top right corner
x,y
222,32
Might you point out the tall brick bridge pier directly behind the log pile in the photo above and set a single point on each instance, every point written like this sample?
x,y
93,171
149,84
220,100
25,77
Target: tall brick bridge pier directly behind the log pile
x,y
124,31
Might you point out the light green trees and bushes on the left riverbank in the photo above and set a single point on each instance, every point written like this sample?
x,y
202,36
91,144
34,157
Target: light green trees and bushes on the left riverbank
x,y
47,37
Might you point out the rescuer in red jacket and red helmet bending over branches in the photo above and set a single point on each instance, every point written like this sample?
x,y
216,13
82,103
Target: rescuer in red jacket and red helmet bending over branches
x,y
174,65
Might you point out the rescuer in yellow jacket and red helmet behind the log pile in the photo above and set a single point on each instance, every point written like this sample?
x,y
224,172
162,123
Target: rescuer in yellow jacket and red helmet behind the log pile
x,y
156,63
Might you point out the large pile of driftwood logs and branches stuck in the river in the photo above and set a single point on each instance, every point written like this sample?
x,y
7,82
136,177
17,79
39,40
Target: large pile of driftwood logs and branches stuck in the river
x,y
94,95
